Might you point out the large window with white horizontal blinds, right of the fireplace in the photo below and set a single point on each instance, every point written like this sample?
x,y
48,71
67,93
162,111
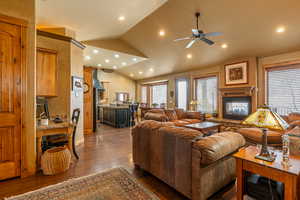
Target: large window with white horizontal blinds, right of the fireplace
x,y
283,87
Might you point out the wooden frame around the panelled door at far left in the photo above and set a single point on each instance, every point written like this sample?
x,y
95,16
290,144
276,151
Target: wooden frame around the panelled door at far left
x,y
23,24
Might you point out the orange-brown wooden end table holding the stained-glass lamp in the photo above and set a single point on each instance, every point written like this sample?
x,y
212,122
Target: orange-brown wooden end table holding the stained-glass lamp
x,y
245,161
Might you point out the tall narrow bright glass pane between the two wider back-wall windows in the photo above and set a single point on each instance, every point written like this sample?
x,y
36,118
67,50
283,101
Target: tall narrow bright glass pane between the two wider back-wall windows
x,y
182,93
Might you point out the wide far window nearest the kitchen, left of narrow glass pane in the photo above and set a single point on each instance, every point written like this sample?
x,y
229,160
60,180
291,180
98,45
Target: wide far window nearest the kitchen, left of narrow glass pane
x,y
159,94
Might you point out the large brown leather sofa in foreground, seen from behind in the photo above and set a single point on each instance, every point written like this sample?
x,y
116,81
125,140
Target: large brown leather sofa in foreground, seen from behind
x,y
194,165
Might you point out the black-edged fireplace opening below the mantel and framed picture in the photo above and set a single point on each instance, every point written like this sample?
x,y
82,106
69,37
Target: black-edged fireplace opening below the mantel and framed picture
x,y
237,108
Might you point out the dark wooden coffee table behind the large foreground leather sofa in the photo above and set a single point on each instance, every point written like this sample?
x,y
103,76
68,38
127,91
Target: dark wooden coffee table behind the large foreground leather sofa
x,y
206,128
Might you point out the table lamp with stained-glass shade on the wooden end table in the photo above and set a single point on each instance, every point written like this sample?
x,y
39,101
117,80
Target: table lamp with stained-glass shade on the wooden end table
x,y
266,119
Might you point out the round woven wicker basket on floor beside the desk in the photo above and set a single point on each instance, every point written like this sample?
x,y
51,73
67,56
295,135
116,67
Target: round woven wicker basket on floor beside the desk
x,y
55,160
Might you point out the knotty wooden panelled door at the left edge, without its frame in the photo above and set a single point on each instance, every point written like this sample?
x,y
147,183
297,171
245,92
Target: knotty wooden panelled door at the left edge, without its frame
x,y
10,100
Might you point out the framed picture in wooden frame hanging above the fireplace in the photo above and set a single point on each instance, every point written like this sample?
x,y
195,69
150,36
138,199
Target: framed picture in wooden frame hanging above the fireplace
x,y
236,73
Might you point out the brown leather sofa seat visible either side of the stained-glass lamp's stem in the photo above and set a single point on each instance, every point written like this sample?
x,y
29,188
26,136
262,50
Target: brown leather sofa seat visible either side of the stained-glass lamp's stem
x,y
255,135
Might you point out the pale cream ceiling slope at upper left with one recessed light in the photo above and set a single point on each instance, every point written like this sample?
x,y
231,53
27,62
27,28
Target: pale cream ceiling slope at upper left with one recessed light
x,y
93,19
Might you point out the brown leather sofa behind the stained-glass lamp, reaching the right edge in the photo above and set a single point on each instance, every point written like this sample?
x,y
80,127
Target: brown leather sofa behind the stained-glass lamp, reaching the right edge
x,y
254,135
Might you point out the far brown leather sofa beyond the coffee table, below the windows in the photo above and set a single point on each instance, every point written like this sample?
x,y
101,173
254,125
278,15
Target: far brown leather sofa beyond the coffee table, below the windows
x,y
177,116
